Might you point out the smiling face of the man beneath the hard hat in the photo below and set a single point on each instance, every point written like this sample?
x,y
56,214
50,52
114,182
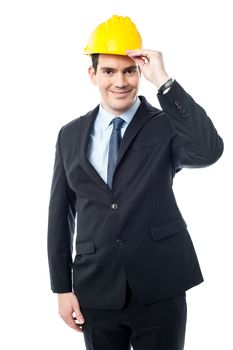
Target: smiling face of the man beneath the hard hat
x,y
117,78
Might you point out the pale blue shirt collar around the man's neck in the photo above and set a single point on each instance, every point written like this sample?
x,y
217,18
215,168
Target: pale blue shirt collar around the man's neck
x,y
104,118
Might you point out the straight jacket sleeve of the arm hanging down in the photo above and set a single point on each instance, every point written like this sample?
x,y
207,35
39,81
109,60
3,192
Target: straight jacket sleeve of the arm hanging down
x,y
61,225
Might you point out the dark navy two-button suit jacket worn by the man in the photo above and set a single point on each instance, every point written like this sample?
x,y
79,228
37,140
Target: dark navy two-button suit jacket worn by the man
x,y
135,231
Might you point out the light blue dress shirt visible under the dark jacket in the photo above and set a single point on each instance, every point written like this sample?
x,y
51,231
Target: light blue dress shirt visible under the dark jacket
x,y
98,146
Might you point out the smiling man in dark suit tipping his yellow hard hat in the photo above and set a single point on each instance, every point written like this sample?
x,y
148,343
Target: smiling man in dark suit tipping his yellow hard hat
x,y
114,167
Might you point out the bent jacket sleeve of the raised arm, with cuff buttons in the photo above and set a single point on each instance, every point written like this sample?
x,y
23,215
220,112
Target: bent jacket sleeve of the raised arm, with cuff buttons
x,y
195,141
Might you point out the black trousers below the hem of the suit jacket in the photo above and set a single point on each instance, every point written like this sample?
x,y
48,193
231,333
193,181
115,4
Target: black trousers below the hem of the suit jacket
x,y
156,326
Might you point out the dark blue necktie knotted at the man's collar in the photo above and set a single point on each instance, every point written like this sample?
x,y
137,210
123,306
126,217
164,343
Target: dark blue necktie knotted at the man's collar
x,y
114,144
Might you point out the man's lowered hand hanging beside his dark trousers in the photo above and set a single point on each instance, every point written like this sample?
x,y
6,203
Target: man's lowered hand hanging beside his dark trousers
x,y
69,311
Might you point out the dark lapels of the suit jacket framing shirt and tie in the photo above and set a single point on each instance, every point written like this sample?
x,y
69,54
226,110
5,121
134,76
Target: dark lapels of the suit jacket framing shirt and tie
x,y
144,112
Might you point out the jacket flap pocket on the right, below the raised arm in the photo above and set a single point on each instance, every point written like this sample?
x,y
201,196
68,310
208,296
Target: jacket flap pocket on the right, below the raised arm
x,y
169,229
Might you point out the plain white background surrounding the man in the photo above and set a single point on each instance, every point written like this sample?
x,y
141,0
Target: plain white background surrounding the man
x,y
43,85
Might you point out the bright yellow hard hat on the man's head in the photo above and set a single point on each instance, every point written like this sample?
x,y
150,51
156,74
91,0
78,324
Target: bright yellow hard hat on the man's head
x,y
114,36
